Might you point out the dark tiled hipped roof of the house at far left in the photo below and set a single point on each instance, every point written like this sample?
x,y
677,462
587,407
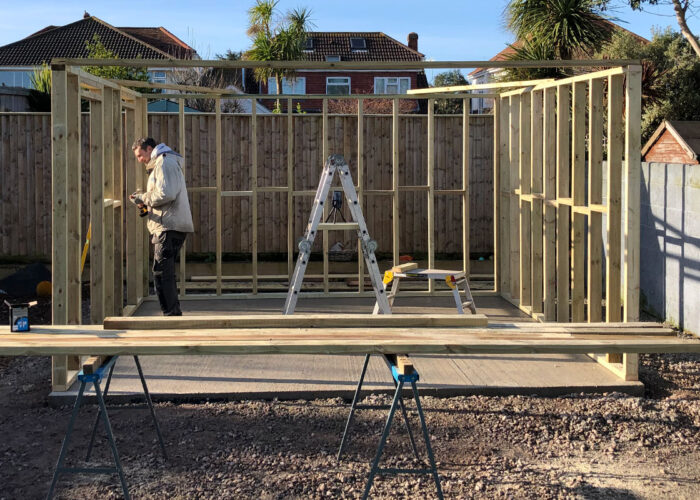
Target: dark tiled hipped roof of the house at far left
x,y
69,41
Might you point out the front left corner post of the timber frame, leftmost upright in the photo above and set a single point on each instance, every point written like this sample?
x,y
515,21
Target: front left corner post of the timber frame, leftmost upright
x,y
59,249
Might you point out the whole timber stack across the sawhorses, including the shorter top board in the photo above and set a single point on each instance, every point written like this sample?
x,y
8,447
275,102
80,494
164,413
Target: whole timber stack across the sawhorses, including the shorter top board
x,y
340,334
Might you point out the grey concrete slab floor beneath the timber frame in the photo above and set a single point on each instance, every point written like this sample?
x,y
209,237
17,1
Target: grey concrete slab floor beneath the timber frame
x,y
321,376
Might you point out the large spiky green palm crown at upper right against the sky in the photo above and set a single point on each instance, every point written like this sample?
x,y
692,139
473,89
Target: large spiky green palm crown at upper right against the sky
x,y
568,27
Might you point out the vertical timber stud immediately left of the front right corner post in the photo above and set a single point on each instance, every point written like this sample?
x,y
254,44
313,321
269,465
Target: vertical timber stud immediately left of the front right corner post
x,y
614,200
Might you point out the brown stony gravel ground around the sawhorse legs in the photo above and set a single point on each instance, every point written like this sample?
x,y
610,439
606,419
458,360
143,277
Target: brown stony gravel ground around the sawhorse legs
x,y
580,446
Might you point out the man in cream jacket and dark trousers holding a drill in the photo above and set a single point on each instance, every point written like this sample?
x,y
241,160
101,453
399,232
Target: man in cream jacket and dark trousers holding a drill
x,y
169,216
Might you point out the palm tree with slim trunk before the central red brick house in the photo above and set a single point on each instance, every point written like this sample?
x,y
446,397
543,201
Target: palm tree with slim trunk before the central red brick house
x,y
276,40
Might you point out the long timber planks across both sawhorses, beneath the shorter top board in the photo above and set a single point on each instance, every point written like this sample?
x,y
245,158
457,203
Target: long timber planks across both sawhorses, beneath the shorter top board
x,y
58,340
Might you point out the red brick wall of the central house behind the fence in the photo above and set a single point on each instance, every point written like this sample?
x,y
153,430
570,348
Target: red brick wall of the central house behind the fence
x,y
360,83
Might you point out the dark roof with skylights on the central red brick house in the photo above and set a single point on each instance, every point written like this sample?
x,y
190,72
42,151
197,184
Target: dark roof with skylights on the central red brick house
x,y
379,47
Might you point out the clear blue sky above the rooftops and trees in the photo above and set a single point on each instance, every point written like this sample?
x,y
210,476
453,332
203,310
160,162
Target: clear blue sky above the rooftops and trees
x,y
469,30
